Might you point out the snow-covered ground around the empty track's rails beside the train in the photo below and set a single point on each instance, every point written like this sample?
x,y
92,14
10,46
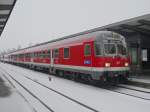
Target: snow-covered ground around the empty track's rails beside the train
x,y
96,98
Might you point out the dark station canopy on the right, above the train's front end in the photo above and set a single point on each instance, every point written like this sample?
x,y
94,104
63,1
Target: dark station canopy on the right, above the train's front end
x,y
140,24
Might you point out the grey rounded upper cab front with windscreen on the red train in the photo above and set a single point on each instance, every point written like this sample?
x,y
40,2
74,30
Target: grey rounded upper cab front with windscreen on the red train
x,y
110,44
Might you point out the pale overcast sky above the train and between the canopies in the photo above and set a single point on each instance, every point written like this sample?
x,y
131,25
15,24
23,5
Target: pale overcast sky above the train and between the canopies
x,y
36,21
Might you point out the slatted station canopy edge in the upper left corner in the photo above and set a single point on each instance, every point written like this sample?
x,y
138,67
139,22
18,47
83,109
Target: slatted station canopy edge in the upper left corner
x,y
6,7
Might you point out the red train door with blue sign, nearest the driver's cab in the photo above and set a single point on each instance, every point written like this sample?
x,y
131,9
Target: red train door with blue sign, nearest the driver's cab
x,y
88,55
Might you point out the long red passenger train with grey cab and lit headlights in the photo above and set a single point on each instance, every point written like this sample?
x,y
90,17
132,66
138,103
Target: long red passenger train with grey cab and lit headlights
x,y
96,56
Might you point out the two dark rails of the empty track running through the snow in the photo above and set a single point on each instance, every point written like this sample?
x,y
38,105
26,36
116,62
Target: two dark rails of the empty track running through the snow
x,y
57,92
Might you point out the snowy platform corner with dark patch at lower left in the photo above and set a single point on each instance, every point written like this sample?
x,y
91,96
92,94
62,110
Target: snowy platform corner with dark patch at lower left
x,y
10,99
